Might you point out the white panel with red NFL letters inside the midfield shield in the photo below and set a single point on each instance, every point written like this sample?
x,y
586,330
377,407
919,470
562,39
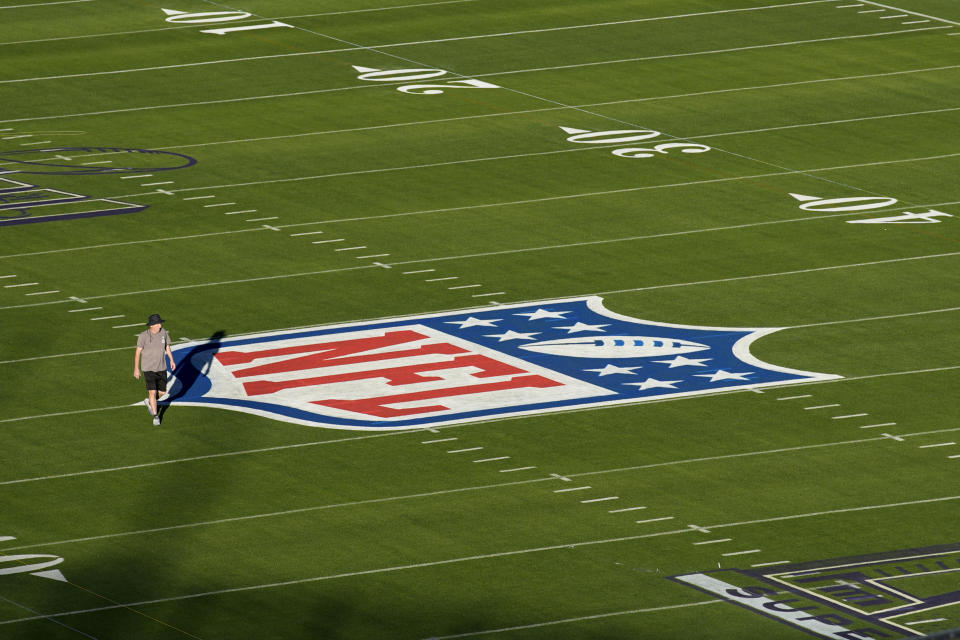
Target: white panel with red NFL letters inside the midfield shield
x,y
387,375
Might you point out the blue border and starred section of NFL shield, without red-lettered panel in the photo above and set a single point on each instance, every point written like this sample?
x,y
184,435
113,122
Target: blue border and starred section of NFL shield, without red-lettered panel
x,y
601,357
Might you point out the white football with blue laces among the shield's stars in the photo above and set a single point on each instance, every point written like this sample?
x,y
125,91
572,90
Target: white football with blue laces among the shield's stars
x,y
614,347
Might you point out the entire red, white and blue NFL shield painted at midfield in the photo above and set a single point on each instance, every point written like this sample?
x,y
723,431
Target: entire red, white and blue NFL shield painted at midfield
x,y
479,364
